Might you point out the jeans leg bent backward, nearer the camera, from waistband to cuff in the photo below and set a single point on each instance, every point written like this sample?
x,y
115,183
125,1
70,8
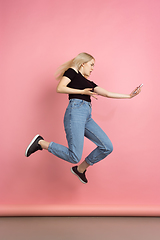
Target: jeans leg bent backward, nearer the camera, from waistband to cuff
x,y
74,123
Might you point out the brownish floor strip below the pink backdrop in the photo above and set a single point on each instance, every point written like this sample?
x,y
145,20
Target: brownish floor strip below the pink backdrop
x,y
79,228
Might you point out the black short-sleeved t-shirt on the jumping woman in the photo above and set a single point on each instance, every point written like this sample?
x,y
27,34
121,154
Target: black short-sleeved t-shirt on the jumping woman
x,y
78,81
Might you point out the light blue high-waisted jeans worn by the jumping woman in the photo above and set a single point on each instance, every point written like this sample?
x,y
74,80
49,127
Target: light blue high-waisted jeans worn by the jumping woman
x,y
79,123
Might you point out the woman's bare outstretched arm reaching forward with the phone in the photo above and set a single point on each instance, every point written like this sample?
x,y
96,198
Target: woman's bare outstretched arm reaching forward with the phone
x,y
105,93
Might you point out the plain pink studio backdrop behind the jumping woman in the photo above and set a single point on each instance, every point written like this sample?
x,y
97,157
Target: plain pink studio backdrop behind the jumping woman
x,y
36,37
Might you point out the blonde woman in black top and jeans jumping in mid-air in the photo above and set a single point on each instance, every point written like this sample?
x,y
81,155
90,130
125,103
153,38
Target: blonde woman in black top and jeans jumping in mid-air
x,y
78,122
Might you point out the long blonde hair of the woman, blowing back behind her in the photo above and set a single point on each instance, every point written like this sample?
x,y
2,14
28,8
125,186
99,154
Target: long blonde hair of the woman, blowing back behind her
x,y
75,62
